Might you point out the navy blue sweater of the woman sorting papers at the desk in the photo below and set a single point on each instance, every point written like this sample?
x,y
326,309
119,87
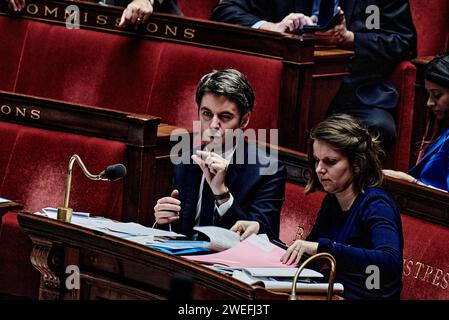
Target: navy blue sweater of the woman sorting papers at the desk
x,y
371,236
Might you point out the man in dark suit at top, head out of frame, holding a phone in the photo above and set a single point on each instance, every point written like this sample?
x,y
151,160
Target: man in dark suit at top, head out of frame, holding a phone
x,y
365,93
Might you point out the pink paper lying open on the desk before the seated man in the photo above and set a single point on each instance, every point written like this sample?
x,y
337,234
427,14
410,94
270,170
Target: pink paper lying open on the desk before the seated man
x,y
251,252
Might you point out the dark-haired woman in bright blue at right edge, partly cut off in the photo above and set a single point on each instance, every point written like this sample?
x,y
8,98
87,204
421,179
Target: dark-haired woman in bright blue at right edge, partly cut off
x,y
433,167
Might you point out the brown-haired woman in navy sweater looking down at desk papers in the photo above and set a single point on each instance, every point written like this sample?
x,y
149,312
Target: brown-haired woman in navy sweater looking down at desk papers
x,y
358,223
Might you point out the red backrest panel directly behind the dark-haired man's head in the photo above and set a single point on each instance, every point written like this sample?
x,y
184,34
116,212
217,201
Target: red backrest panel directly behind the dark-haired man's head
x,y
178,73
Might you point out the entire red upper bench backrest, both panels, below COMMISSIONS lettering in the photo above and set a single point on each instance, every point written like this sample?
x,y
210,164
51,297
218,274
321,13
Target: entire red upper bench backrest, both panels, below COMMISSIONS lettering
x,y
148,77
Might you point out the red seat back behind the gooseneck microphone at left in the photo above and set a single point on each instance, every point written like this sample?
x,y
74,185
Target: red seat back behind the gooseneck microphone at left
x,y
34,162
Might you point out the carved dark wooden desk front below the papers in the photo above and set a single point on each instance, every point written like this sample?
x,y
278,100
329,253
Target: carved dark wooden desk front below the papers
x,y
113,268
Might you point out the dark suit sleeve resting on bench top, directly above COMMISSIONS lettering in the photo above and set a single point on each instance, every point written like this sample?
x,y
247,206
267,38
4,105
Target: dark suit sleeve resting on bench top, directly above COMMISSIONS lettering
x,y
242,12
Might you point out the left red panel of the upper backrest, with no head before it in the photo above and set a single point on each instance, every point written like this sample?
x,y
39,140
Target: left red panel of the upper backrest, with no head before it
x,y
91,68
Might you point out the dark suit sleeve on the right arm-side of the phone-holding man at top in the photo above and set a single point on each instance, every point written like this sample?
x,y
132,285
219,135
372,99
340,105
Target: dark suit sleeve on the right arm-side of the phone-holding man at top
x,y
393,42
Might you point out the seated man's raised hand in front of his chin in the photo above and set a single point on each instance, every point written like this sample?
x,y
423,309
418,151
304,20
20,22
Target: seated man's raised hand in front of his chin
x,y
214,168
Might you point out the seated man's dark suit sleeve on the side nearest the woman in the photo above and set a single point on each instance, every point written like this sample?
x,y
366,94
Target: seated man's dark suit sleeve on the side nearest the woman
x,y
265,206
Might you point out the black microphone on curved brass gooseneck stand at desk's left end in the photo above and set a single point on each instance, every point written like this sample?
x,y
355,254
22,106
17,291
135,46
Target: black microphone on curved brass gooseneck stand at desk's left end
x,y
111,173
